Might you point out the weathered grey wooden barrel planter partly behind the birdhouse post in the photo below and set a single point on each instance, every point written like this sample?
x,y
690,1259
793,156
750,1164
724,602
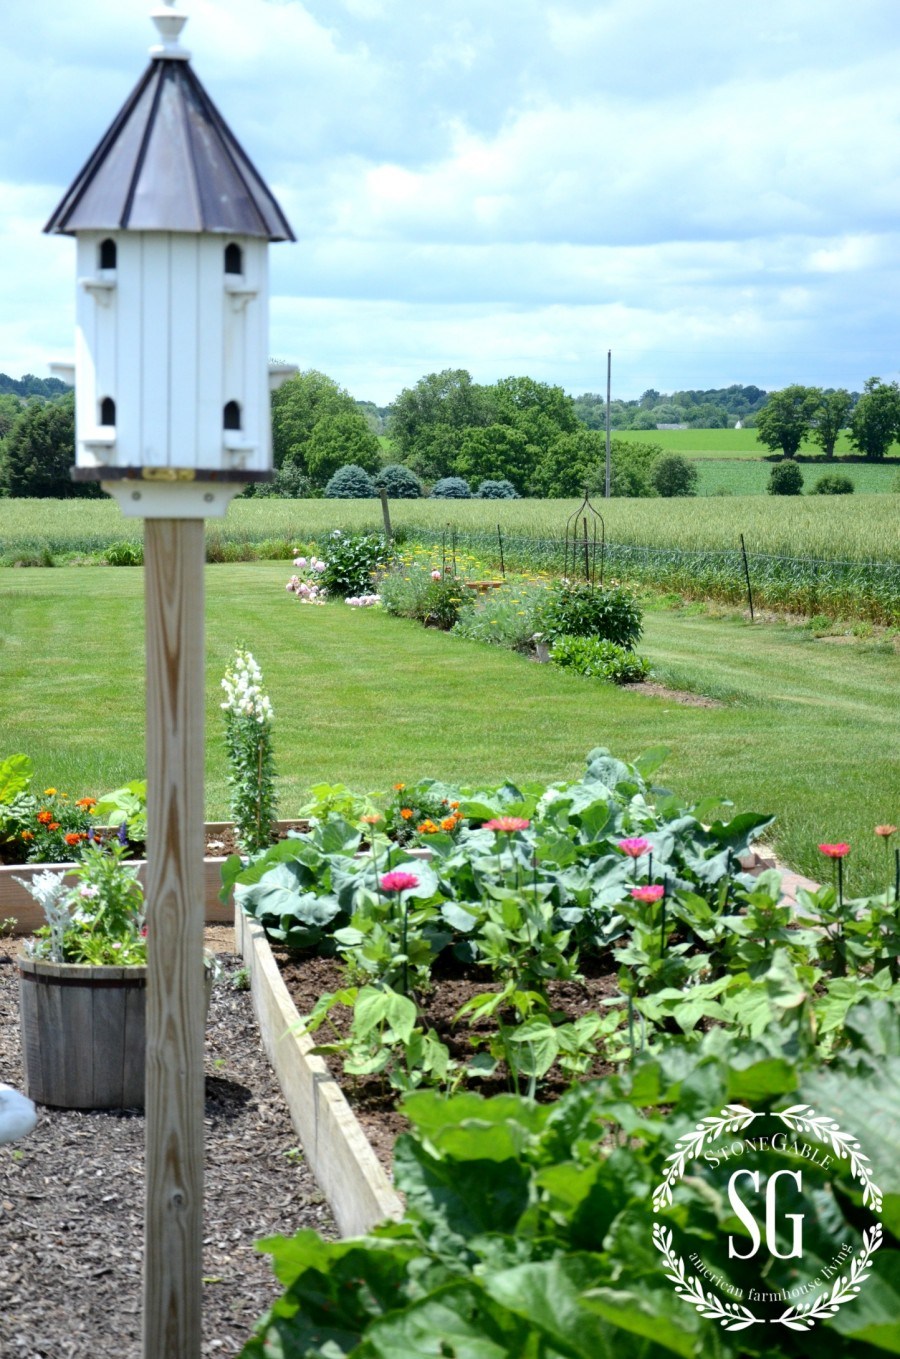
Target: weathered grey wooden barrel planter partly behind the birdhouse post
x,y
84,1034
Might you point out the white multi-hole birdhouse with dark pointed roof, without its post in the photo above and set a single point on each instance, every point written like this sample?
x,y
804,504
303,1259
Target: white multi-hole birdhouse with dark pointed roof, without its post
x,y
173,226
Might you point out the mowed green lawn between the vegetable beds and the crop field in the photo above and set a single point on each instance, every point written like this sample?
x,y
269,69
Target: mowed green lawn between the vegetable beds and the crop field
x,y
808,730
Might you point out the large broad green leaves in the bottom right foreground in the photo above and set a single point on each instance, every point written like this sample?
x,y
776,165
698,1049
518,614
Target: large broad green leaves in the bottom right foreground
x,y
528,1228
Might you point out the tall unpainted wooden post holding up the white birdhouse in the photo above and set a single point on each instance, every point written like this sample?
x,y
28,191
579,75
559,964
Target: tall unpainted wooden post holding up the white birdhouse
x,y
173,1216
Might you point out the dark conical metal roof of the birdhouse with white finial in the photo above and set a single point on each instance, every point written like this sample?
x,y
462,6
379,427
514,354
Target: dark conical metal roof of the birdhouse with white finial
x,y
169,162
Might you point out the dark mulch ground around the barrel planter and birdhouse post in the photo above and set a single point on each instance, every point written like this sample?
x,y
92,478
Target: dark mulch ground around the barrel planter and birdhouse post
x,y
71,1199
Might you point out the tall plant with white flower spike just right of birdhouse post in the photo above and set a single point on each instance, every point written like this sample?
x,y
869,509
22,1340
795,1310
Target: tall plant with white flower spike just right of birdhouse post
x,y
248,717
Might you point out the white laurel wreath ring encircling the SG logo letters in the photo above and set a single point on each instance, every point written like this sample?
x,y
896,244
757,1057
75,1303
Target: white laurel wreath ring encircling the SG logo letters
x,y
735,1316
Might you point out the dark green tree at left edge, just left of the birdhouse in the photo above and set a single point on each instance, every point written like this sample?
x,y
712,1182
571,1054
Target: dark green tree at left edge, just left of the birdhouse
x,y
40,453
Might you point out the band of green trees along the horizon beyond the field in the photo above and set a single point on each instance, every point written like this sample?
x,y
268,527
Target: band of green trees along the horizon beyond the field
x,y
515,437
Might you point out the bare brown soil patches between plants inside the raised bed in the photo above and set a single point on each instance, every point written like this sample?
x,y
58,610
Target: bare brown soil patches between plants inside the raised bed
x,y
373,1101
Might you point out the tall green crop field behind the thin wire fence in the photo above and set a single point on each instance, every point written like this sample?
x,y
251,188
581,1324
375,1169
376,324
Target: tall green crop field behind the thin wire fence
x,y
811,554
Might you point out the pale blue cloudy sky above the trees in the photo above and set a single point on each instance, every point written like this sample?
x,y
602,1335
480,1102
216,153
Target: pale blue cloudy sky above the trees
x,y
510,187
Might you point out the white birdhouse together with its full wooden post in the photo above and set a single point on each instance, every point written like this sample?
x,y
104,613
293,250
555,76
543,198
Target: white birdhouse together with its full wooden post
x,y
173,226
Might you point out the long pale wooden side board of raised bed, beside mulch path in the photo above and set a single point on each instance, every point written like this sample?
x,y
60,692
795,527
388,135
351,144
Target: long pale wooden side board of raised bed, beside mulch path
x,y
339,1154
